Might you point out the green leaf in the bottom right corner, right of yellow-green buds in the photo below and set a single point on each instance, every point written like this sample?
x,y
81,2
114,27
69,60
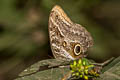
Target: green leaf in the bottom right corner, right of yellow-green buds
x,y
112,71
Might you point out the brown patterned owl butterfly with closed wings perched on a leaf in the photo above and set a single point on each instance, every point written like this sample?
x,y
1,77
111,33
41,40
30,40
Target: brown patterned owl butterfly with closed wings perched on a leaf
x,y
68,40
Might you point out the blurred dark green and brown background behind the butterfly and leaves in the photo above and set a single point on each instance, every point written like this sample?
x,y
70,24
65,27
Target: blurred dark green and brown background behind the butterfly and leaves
x,y
24,30
